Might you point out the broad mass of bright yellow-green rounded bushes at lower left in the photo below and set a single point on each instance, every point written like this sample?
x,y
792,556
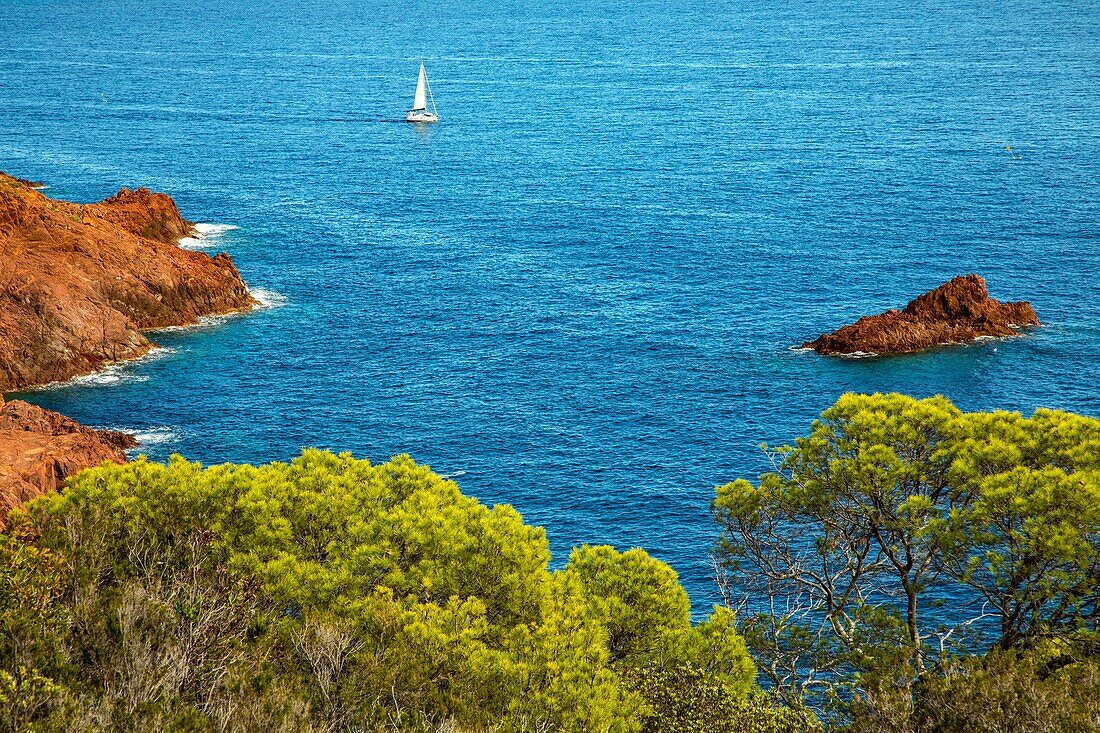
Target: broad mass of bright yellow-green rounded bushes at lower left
x,y
325,595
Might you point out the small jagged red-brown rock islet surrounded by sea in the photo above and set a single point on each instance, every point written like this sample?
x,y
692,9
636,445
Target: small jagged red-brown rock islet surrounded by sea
x,y
954,313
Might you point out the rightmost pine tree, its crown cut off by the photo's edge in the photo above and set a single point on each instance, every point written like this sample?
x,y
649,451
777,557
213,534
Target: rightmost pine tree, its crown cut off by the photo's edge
x,y
1027,532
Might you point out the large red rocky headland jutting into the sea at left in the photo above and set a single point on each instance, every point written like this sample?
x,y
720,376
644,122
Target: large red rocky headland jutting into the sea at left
x,y
80,283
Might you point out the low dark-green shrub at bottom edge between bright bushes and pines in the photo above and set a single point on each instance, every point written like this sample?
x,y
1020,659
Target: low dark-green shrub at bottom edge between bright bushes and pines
x,y
688,701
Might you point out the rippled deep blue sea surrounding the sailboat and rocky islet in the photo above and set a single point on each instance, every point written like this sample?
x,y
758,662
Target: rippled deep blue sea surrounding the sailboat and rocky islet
x,y
582,287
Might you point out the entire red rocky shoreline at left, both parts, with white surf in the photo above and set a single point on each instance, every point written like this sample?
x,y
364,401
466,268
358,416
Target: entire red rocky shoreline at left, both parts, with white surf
x,y
83,289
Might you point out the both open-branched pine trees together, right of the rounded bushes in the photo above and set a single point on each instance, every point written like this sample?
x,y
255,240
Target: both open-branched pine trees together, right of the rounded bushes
x,y
892,505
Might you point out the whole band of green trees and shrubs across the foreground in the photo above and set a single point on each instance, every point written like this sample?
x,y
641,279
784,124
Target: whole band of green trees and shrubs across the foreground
x,y
907,566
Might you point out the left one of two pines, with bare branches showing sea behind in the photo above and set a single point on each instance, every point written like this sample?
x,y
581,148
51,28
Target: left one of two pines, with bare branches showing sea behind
x,y
846,522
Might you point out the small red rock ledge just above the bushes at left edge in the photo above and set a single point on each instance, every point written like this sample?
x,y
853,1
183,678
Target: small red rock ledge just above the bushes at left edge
x,y
39,450
